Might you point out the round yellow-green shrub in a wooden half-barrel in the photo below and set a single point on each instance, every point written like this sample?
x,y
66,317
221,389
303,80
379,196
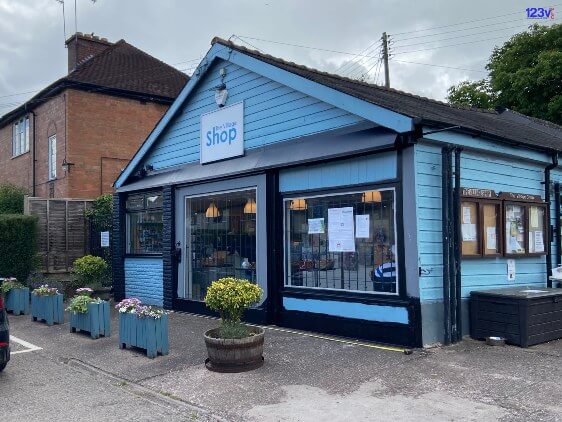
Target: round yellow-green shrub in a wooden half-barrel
x,y
233,346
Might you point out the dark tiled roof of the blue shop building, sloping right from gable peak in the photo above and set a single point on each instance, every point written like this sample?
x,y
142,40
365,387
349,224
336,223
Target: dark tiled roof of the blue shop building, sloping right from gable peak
x,y
502,124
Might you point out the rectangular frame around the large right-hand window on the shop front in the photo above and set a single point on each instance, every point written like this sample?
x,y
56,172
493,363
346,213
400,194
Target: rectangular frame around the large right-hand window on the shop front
x,y
287,197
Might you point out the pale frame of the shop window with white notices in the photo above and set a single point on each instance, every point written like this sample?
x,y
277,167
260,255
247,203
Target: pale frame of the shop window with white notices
x,y
286,266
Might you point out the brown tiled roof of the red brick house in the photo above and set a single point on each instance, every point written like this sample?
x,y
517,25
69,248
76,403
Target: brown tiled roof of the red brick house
x,y
120,69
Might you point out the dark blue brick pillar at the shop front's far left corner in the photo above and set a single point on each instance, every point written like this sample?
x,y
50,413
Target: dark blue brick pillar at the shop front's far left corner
x,y
118,246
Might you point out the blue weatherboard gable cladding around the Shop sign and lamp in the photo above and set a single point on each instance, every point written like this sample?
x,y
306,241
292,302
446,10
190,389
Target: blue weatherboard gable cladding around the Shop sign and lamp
x,y
273,113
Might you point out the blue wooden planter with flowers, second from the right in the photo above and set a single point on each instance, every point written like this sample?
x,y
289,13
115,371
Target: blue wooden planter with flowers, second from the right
x,y
89,314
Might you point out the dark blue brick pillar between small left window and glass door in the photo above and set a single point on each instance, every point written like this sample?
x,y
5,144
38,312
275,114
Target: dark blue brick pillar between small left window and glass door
x,y
168,261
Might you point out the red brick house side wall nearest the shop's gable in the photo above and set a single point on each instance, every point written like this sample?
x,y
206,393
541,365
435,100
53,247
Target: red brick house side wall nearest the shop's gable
x,y
104,133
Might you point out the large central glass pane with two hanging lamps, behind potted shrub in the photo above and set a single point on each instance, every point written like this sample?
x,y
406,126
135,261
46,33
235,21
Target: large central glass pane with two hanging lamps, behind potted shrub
x,y
222,232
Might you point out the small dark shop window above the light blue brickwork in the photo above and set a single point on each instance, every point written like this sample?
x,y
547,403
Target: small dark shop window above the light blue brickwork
x,y
144,223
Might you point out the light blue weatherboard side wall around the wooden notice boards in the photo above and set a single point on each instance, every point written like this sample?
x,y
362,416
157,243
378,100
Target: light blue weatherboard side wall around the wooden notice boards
x,y
478,170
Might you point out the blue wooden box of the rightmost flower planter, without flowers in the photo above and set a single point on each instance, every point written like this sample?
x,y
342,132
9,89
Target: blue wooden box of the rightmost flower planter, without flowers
x,y
145,333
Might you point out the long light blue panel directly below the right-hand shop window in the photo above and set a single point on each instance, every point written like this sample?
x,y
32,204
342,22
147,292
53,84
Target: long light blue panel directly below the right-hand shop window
x,y
379,313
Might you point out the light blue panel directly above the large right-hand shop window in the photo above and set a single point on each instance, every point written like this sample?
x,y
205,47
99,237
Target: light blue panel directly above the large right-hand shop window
x,y
369,169
